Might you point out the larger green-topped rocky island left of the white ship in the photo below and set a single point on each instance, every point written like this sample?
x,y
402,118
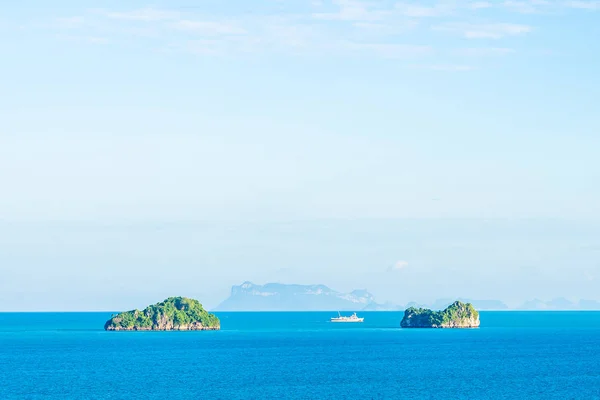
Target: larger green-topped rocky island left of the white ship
x,y
173,314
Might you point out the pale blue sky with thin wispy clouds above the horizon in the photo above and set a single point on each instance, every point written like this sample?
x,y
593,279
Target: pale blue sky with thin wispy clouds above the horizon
x,y
419,150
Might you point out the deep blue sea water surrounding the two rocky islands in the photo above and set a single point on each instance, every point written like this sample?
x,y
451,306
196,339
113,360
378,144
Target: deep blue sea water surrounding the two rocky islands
x,y
514,355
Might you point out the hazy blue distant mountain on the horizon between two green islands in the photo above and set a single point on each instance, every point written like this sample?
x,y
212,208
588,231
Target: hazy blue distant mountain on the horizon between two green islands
x,y
281,297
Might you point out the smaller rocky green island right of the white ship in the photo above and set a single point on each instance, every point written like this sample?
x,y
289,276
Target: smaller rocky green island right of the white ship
x,y
457,315
